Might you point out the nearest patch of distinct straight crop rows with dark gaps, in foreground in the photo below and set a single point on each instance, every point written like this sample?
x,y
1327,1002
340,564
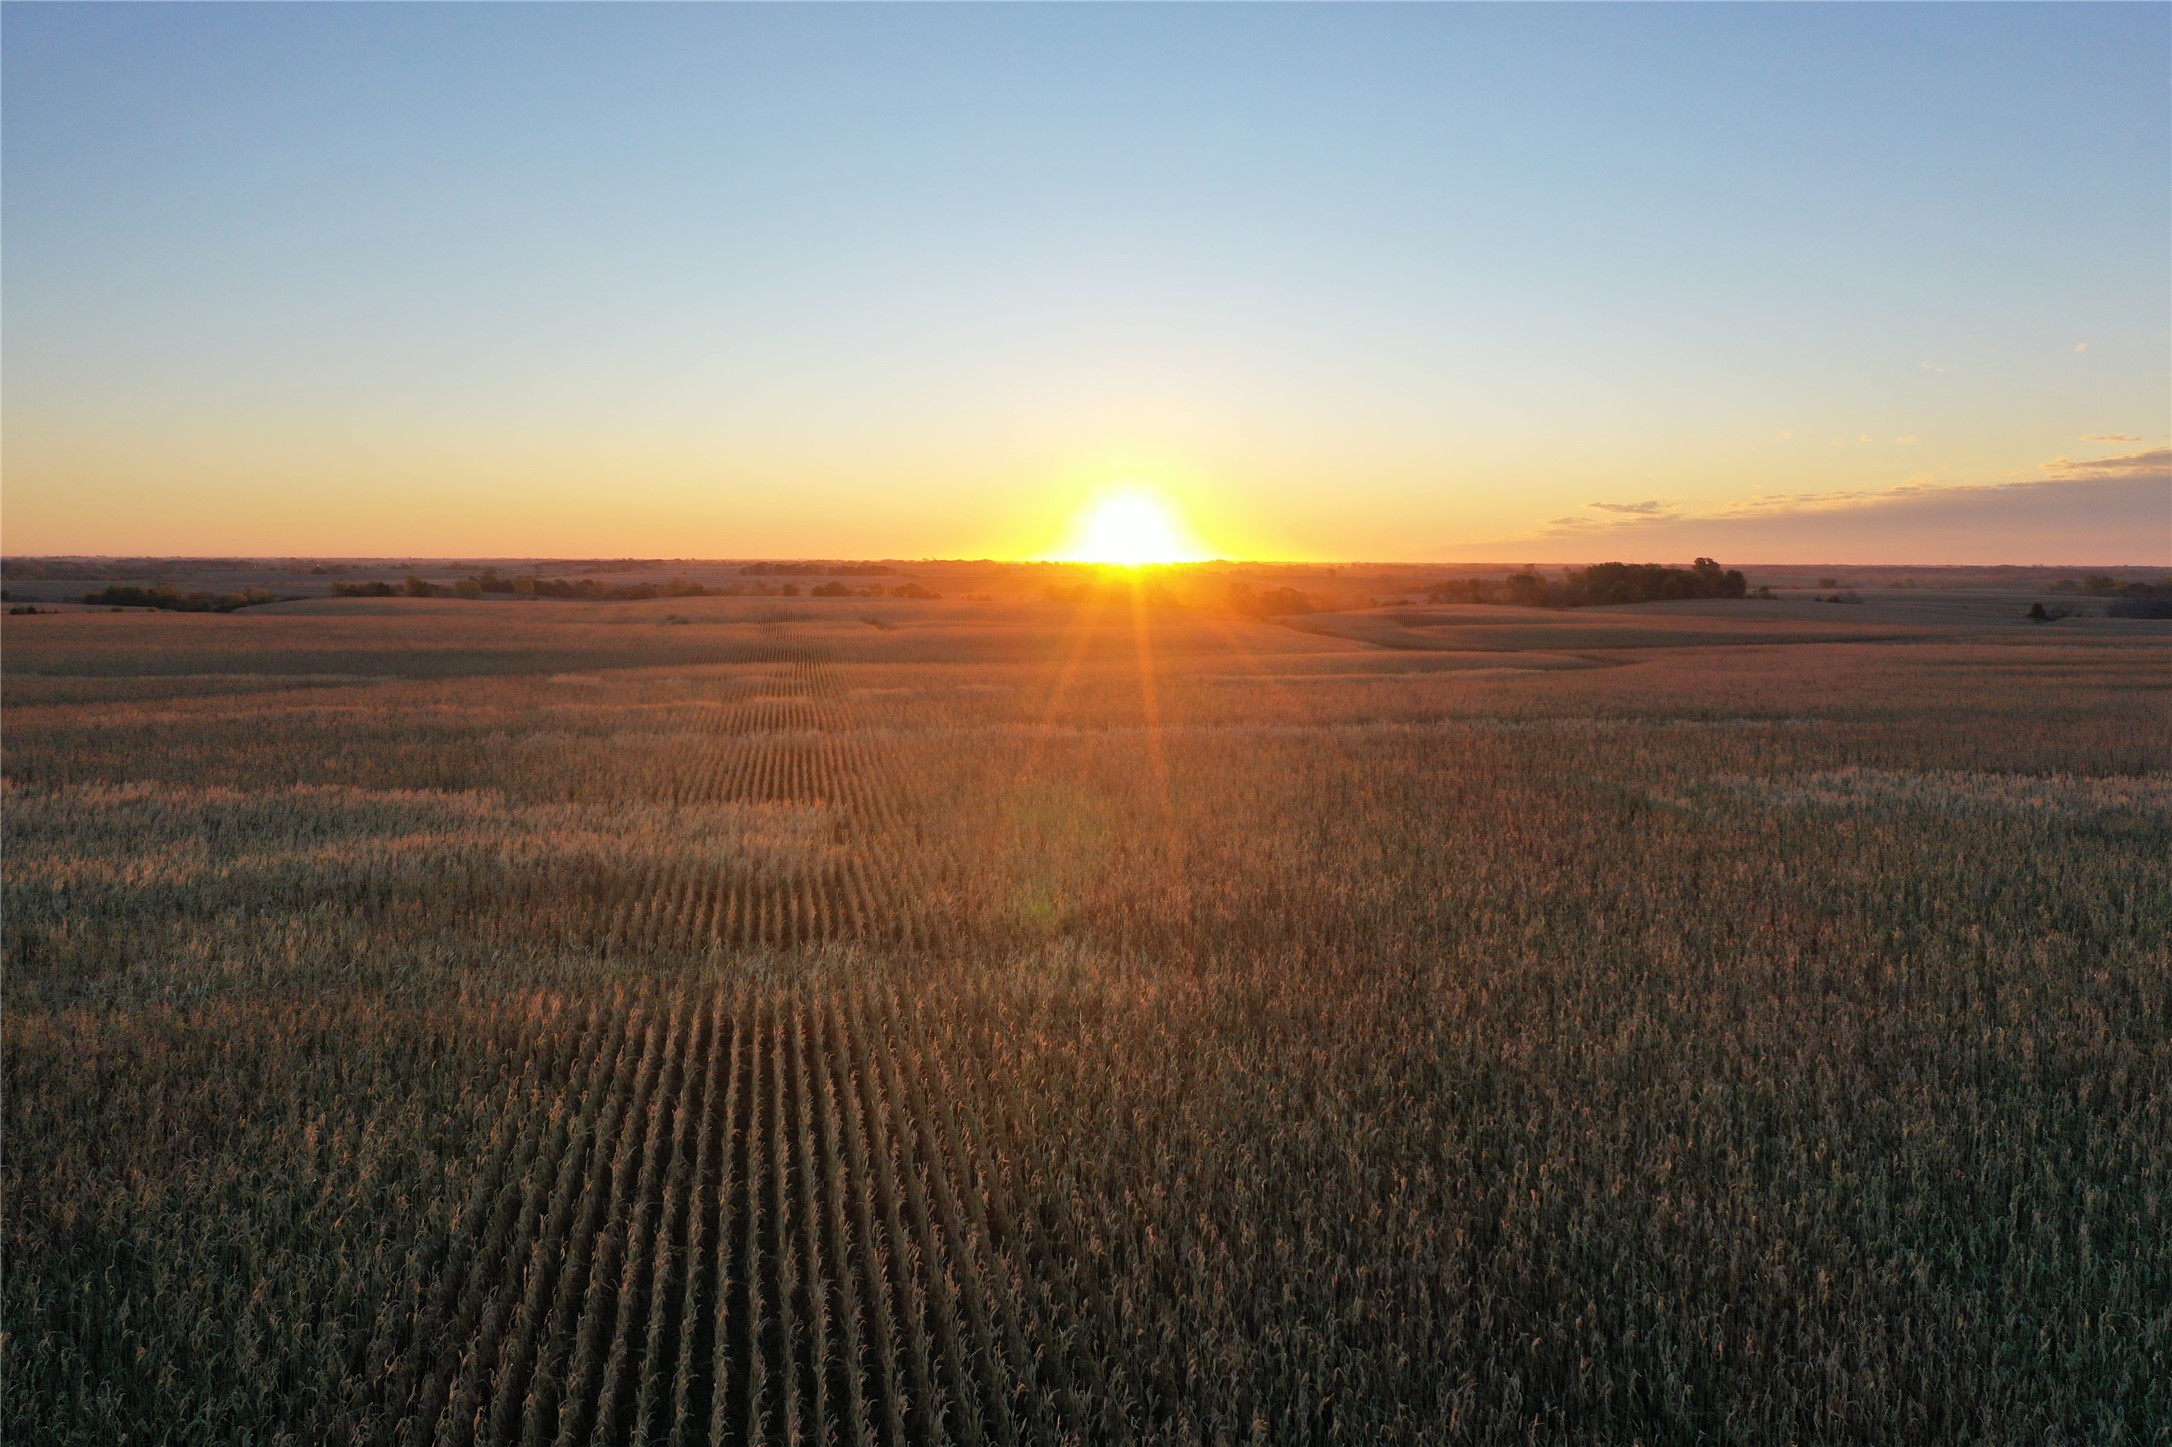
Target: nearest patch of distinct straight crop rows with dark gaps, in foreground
x,y
742,1220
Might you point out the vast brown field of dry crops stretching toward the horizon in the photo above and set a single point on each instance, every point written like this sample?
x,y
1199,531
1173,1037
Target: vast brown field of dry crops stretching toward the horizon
x,y
1085,1022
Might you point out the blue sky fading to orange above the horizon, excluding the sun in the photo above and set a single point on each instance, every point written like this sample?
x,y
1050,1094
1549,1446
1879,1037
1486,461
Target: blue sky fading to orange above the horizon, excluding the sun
x,y
1389,284
